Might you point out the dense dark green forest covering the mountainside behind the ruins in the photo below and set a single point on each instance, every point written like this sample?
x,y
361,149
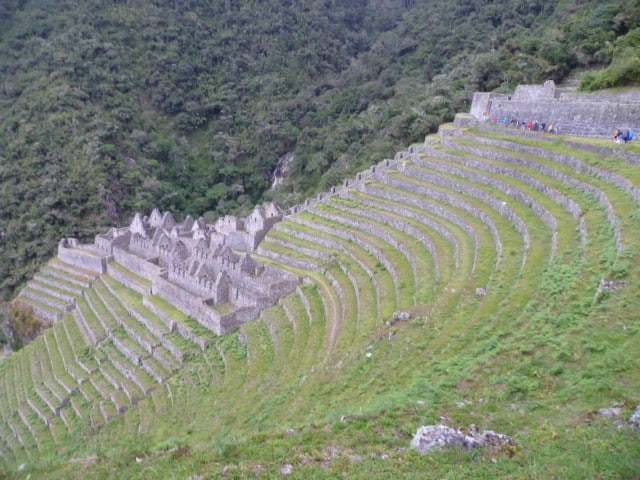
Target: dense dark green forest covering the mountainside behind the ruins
x,y
109,107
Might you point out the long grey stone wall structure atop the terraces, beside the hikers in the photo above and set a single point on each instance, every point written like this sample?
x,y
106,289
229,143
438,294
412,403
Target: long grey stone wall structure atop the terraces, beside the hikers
x,y
593,114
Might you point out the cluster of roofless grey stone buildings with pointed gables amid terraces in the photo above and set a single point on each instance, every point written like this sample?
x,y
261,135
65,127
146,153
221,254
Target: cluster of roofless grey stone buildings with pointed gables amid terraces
x,y
204,270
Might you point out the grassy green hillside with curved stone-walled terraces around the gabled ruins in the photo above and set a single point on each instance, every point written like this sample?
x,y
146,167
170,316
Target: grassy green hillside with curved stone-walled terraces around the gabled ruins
x,y
515,257
